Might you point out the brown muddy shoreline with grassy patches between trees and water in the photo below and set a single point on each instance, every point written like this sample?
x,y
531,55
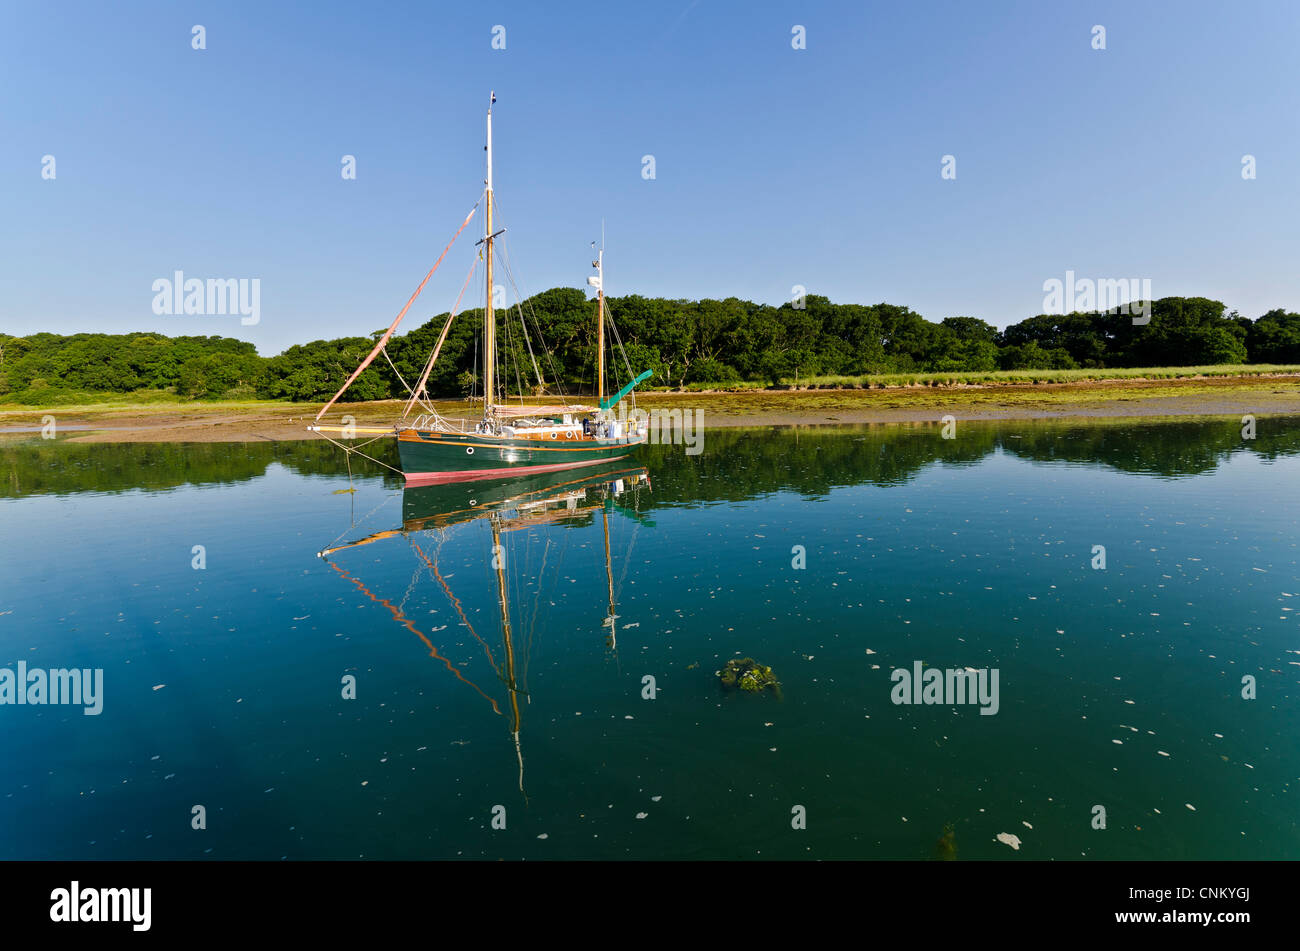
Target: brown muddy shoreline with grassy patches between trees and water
x,y
1119,399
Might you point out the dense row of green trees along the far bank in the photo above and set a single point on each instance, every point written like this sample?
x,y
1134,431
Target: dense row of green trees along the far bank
x,y
682,342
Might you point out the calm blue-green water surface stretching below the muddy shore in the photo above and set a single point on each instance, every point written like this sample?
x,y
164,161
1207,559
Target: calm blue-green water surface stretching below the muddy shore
x,y
223,685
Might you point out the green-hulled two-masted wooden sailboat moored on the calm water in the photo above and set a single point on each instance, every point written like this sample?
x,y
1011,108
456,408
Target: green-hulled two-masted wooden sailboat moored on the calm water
x,y
514,436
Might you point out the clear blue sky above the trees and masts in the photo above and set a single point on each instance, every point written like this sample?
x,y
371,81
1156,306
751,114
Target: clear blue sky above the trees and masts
x,y
774,167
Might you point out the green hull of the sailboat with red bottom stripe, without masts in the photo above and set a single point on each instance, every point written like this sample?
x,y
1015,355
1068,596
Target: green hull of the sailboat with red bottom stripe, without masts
x,y
431,458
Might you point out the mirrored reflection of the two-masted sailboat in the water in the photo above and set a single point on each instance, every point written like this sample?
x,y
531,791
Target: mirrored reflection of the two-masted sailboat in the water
x,y
512,509
